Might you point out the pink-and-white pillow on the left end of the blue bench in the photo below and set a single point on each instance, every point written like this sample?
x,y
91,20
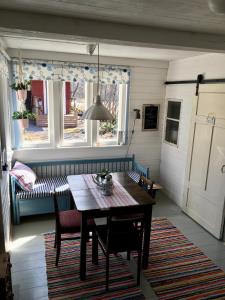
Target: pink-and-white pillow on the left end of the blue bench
x,y
25,176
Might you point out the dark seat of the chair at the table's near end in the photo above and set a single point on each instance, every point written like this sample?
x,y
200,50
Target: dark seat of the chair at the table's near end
x,y
124,237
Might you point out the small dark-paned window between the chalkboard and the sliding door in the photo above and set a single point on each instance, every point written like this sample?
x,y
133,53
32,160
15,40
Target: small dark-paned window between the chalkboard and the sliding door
x,y
172,121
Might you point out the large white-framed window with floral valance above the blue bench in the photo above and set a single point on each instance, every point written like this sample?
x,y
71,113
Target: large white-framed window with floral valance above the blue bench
x,y
59,95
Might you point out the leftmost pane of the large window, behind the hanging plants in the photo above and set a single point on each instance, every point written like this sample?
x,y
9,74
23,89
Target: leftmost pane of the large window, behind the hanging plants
x,y
35,131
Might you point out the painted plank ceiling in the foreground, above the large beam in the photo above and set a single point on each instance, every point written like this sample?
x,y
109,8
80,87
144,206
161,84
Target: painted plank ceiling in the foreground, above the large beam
x,y
186,15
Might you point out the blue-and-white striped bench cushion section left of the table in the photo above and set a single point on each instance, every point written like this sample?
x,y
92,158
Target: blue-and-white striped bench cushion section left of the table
x,y
44,187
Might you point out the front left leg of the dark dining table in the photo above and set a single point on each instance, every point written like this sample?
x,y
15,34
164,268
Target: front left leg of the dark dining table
x,y
83,244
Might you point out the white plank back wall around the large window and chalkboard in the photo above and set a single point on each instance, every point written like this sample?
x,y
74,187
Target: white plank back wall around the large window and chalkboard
x,y
146,86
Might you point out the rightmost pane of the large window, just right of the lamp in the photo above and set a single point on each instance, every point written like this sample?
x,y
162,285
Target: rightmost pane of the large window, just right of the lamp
x,y
107,131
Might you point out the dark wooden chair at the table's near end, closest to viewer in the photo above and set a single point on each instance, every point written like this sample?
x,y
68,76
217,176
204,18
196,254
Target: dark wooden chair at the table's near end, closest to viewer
x,y
121,235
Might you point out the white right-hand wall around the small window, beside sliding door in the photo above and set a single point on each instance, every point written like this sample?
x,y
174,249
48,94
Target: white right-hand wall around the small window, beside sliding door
x,y
174,159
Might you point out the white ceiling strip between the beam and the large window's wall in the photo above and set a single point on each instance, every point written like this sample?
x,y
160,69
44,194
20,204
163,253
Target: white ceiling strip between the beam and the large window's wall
x,y
22,42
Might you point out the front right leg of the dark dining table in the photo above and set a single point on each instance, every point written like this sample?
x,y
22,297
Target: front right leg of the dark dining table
x,y
147,232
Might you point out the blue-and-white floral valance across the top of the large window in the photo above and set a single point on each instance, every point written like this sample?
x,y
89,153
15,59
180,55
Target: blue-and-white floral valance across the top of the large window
x,y
46,70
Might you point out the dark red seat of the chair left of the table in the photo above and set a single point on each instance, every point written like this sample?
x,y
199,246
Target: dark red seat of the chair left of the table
x,y
70,221
